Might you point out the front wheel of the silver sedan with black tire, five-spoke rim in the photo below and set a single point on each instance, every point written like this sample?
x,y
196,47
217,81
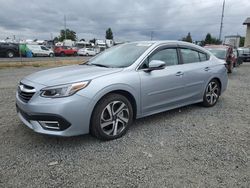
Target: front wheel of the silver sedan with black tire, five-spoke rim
x,y
111,117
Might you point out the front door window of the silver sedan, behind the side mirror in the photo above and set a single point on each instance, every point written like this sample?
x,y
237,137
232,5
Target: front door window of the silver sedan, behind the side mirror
x,y
169,56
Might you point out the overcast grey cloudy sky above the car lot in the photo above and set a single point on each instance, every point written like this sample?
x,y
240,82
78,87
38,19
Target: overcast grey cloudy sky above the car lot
x,y
129,20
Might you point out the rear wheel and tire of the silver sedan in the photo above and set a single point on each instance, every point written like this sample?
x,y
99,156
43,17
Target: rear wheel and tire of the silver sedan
x,y
212,93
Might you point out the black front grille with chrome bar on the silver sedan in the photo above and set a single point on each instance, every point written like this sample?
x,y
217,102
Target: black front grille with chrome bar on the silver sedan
x,y
25,92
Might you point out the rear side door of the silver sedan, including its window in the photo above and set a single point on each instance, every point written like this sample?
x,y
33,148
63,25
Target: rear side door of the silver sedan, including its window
x,y
196,72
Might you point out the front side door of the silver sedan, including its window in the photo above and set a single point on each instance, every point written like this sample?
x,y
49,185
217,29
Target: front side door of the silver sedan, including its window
x,y
161,89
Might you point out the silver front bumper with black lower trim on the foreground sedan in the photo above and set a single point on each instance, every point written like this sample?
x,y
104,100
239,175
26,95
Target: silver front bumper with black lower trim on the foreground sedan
x,y
71,113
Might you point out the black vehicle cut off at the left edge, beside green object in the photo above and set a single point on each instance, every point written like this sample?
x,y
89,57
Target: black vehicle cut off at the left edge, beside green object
x,y
9,49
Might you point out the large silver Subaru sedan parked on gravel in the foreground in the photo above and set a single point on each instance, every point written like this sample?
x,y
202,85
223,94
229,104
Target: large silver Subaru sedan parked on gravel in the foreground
x,y
129,81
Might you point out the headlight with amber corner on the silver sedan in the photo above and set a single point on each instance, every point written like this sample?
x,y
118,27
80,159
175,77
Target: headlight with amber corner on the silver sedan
x,y
63,90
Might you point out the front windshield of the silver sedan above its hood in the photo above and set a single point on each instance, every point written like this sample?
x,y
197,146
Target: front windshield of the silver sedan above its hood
x,y
120,56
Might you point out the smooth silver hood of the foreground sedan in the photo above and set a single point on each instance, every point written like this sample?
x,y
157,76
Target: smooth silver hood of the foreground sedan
x,y
70,74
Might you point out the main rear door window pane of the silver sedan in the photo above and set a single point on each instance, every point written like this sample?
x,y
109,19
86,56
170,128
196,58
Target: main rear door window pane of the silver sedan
x,y
189,56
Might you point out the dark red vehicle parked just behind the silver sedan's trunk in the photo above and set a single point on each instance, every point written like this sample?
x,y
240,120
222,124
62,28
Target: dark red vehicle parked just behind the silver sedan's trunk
x,y
225,53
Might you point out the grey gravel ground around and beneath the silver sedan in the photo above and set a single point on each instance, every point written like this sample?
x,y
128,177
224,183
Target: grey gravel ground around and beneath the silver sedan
x,y
187,147
